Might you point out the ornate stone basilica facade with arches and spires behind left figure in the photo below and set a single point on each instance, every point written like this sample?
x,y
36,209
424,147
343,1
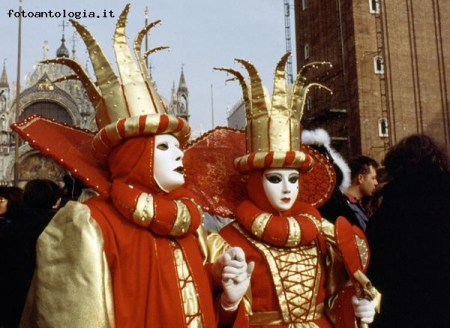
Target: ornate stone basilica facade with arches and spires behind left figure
x,y
47,94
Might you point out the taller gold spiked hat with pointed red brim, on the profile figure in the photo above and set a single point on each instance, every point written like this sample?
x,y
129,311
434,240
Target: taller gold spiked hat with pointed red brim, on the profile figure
x,y
125,107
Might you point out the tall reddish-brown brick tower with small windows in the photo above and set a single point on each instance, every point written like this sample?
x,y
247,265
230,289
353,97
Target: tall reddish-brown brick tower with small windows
x,y
391,67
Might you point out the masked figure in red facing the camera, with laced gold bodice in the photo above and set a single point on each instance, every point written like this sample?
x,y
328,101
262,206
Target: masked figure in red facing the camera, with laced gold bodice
x,y
301,277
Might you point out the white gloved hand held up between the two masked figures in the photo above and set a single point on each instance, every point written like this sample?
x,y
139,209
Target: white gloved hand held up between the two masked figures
x,y
236,275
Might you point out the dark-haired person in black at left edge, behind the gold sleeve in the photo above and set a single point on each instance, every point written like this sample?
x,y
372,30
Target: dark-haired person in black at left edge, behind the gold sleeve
x,y
18,246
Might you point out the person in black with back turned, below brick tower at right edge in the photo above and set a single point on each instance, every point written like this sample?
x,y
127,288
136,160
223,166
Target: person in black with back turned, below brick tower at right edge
x,y
409,236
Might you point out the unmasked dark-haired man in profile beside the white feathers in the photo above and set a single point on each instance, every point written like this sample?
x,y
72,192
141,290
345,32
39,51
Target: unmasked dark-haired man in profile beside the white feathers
x,y
363,183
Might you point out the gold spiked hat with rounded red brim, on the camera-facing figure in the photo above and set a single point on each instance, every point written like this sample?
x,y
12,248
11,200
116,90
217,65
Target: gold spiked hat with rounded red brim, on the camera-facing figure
x,y
273,136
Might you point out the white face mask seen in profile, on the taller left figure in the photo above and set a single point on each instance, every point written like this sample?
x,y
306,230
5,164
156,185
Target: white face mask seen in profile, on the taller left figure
x,y
168,165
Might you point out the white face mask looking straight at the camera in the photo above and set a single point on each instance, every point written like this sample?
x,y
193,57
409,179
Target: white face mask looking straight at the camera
x,y
281,187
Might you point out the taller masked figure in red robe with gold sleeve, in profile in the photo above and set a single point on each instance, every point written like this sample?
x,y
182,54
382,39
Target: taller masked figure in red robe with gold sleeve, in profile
x,y
136,255
